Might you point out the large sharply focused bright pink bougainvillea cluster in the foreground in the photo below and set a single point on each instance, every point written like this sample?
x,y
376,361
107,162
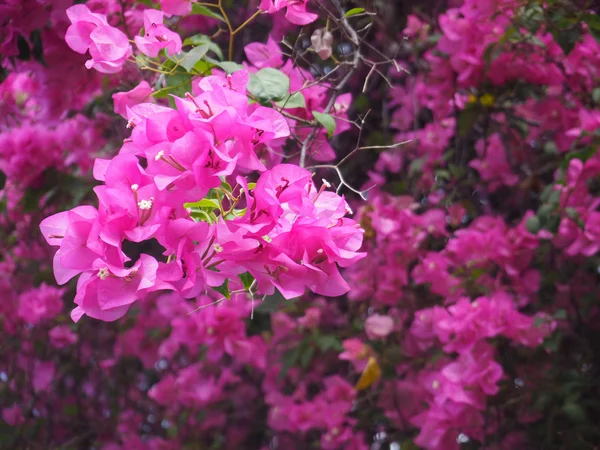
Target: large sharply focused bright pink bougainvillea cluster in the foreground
x,y
187,153
